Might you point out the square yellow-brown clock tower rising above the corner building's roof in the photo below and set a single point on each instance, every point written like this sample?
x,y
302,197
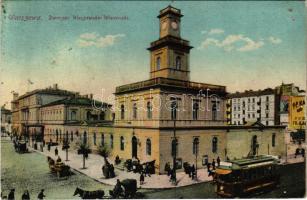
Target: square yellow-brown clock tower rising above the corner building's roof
x,y
169,55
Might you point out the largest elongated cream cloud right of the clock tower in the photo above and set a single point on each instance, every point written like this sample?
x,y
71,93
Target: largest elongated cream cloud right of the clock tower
x,y
237,42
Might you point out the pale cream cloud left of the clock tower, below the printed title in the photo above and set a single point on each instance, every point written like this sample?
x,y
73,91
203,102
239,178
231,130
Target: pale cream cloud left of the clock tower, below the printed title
x,y
93,39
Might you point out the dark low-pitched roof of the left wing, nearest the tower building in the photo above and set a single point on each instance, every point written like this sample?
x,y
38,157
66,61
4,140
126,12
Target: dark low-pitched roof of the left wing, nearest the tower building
x,y
80,101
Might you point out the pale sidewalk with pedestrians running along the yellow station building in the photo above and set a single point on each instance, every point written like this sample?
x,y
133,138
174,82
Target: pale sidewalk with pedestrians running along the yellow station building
x,y
95,162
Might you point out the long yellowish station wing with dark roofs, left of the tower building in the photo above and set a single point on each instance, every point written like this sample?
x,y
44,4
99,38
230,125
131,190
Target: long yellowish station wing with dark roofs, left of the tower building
x,y
53,114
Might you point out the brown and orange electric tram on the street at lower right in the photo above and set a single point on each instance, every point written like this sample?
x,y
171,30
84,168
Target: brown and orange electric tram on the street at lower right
x,y
242,177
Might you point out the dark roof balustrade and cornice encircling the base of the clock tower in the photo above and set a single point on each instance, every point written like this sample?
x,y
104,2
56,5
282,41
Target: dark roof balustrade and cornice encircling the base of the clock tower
x,y
184,86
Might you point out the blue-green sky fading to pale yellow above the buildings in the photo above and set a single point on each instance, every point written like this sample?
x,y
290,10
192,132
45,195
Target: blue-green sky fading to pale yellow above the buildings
x,y
242,45
